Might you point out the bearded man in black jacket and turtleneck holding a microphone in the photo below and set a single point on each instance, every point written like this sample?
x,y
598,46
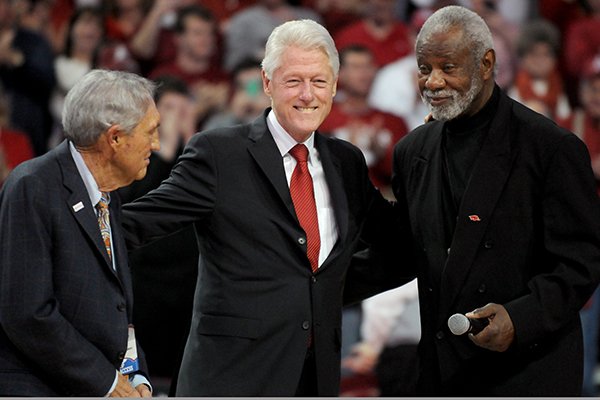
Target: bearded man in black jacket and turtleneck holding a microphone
x,y
502,207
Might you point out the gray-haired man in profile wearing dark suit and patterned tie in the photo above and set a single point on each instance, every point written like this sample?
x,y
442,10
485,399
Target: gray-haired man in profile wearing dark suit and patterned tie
x,y
65,289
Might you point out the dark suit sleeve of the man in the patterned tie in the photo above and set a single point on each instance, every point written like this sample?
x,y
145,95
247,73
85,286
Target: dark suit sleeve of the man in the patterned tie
x,y
29,310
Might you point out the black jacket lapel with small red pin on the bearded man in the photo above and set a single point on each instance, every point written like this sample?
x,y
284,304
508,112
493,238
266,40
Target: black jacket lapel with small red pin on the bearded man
x,y
490,172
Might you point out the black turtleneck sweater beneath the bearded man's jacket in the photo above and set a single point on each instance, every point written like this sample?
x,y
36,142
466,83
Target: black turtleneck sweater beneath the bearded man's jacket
x,y
461,143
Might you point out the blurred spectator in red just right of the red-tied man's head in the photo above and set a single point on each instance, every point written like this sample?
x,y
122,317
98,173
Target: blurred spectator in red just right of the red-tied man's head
x,y
352,118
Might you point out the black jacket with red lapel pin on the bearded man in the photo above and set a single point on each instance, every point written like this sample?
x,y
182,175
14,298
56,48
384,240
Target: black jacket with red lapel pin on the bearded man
x,y
527,236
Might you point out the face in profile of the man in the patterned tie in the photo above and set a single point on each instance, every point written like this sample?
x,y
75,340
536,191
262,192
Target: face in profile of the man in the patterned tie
x,y
134,149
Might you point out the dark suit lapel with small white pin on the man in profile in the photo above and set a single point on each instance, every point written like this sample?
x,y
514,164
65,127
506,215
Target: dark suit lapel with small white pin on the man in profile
x,y
79,203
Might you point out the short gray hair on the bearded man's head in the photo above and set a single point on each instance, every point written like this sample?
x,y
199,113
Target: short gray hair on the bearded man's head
x,y
477,35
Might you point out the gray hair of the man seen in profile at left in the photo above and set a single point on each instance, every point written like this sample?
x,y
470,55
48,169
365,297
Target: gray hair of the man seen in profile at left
x,y
104,98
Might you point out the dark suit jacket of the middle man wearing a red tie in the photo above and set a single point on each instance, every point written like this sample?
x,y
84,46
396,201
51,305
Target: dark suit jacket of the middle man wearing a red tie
x,y
256,299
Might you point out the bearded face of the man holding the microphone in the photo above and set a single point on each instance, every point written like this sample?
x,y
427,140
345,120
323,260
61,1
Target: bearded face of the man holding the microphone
x,y
451,82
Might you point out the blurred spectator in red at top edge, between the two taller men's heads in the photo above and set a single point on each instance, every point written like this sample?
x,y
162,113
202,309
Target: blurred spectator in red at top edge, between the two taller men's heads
x,y
380,31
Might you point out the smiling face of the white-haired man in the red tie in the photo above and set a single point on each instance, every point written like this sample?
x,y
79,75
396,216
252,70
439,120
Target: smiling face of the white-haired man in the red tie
x,y
301,91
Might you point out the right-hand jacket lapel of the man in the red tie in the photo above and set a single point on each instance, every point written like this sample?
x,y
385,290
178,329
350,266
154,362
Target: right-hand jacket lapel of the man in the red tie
x,y
332,167
